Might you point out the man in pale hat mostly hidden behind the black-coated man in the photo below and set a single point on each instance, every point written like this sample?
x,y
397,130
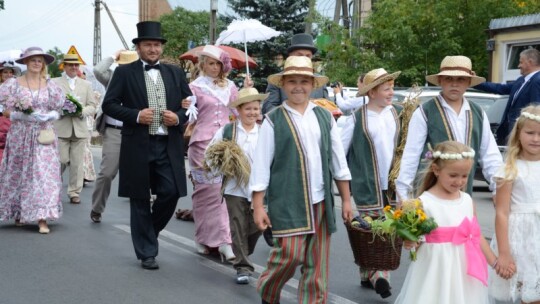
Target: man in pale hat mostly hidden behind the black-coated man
x,y
110,129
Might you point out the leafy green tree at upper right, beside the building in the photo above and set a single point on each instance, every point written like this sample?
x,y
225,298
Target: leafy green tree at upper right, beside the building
x,y
414,35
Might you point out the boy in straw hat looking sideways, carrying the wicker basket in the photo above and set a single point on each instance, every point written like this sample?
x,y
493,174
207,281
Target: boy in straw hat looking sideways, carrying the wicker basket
x,y
375,128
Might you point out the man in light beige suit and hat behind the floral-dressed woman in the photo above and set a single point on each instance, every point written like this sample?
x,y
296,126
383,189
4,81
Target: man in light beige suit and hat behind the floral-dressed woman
x,y
72,130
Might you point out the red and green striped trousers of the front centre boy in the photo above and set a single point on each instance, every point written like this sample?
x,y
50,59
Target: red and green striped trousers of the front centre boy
x,y
311,251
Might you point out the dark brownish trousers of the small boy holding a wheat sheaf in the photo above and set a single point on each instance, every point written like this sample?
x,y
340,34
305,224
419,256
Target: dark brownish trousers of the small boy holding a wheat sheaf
x,y
244,232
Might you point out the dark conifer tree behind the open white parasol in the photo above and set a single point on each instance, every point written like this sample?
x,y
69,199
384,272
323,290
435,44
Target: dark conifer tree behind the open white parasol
x,y
287,16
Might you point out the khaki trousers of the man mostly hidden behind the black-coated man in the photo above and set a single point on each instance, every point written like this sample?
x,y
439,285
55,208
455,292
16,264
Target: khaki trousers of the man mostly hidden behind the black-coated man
x,y
110,162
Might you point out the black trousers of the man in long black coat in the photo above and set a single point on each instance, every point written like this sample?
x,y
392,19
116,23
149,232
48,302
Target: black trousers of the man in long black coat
x,y
147,220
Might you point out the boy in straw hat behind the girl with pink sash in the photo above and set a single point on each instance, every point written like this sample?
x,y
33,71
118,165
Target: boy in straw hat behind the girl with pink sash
x,y
449,116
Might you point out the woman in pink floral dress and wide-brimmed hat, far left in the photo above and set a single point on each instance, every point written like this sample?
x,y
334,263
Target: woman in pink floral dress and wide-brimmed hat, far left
x,y
30,171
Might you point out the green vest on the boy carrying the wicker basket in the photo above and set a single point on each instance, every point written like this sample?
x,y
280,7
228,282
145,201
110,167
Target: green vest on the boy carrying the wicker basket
x,y
362,160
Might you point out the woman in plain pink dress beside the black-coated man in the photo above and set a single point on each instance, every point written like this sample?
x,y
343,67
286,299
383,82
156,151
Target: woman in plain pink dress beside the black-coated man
x,y
212,92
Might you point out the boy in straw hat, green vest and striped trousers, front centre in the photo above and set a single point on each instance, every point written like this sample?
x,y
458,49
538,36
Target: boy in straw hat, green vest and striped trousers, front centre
x,y
298,154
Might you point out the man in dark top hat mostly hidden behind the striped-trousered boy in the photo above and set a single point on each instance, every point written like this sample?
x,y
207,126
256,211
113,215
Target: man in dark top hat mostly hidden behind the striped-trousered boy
x,y
301,45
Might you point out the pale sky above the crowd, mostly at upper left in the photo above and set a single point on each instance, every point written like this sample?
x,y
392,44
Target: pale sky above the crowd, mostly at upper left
x,y
63,23
